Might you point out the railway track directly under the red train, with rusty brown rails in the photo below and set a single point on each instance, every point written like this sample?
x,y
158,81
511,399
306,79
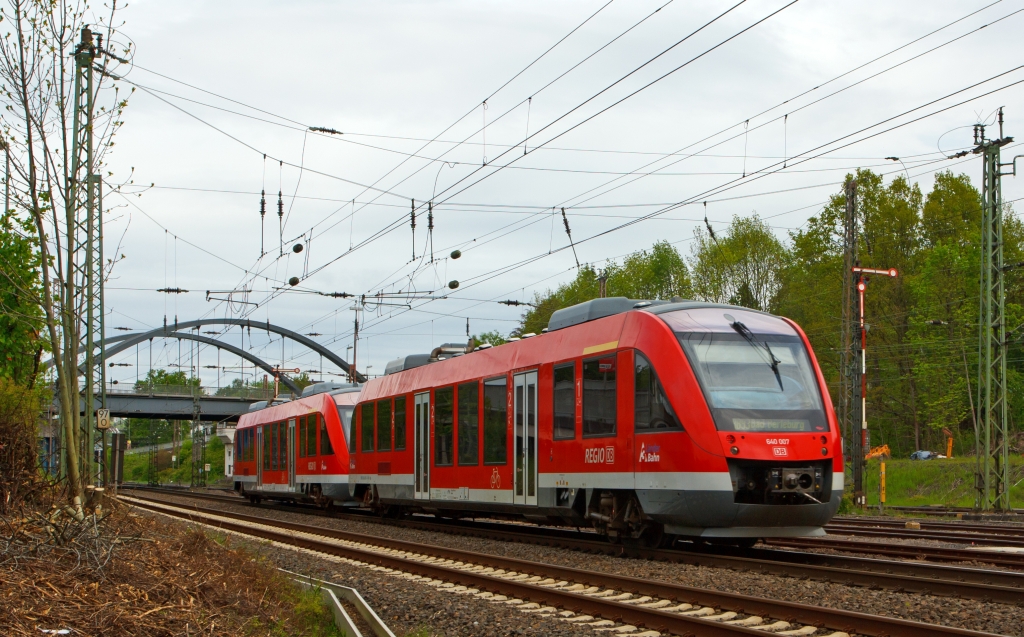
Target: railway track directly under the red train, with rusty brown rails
x,y
1004,587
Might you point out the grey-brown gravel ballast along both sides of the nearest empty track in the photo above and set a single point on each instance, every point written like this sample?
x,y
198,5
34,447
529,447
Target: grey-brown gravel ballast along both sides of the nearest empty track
x,y
429,607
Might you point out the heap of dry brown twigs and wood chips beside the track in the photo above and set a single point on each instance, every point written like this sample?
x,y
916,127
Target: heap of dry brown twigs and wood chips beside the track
x,y
130,575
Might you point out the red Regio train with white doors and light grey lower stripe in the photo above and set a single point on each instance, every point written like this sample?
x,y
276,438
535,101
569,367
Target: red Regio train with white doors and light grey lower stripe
x,y
645,419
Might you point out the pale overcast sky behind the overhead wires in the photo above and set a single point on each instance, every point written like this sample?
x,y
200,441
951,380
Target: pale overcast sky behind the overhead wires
x,y
393,76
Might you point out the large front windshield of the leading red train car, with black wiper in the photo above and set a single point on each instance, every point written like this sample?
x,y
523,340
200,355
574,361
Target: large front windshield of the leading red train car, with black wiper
x,y
754,370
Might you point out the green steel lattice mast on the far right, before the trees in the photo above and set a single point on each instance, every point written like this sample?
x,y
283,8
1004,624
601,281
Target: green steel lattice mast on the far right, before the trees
x,y
992,447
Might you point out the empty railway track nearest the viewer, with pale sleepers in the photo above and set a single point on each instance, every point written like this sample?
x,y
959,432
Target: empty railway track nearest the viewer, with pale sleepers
x,y
592,599
